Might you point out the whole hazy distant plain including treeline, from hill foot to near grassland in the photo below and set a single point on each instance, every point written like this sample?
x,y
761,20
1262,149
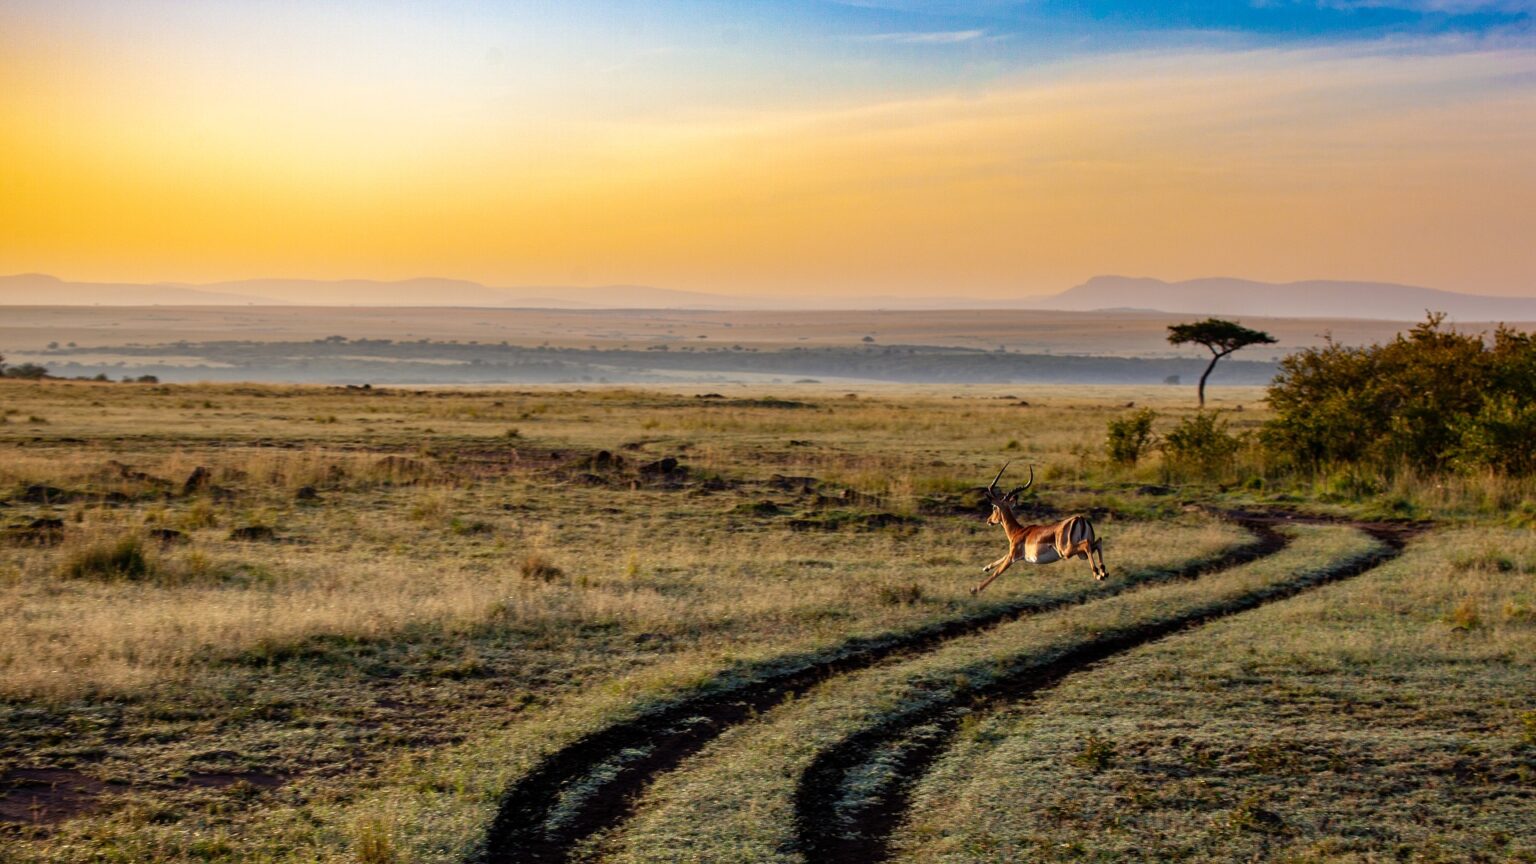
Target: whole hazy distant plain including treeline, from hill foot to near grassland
x,y
652,347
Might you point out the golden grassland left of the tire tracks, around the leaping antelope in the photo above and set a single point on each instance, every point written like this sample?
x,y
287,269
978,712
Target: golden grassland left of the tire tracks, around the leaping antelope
x,y
396,606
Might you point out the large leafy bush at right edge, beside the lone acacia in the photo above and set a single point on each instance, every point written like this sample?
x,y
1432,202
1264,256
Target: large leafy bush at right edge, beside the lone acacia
x,y
1428,400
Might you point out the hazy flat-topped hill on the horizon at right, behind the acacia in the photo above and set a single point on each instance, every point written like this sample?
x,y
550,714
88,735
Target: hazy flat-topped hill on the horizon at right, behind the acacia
x,y
1291,301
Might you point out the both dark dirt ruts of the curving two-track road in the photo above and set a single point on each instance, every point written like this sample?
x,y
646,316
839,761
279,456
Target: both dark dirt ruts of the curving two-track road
x,y
631,756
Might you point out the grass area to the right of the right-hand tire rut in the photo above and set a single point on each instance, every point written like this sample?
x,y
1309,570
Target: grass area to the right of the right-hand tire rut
x,y
1359,723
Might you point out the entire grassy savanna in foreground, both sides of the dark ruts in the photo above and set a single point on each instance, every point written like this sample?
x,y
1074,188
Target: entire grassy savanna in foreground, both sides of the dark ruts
x,y
374,613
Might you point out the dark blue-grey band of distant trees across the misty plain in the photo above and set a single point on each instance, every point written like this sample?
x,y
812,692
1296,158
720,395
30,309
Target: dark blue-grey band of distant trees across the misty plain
x,y
343,361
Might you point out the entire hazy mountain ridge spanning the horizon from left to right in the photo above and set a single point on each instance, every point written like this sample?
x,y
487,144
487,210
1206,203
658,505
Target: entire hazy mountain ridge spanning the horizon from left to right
x,y
1210,296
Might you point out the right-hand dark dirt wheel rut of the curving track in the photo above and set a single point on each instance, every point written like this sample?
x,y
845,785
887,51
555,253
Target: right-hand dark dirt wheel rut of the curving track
x,y
826,839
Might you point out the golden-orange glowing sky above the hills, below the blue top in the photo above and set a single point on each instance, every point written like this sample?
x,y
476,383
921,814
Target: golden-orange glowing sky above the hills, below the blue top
x,y
205,147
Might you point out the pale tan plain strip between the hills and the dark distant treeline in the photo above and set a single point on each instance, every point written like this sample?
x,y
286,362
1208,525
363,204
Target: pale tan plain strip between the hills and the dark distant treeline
x,y
28,330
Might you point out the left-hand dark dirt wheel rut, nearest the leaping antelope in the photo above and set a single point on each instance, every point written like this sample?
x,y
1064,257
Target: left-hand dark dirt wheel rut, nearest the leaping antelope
x,y
660,742
